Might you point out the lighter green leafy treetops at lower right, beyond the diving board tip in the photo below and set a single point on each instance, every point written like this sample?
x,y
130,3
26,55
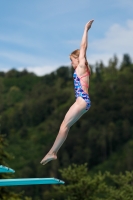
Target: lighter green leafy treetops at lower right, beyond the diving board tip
x,y
80,185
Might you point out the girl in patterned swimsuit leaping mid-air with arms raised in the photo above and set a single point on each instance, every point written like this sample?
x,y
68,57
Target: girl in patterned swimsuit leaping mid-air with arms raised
x,y
82,104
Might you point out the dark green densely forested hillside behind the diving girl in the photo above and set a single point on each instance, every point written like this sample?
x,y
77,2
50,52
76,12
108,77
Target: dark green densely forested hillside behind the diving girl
x,y
32,109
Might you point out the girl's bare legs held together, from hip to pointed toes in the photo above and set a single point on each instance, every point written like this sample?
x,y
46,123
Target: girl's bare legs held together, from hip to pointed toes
x,y
73,114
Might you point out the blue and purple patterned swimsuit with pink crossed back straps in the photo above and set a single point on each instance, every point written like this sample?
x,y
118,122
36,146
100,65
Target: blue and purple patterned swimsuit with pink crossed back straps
x,y
79,92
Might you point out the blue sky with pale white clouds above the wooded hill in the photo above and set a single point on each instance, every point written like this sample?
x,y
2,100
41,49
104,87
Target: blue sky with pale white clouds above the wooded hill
x,y
39,35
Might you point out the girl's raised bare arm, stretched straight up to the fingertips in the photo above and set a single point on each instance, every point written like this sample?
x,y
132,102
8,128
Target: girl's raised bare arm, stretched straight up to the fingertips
x,y
84,44
